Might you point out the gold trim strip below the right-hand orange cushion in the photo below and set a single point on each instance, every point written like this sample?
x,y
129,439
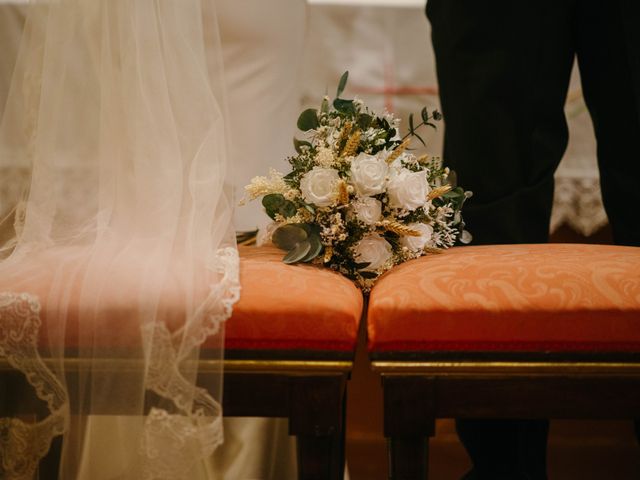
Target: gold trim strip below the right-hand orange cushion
x,y
505,368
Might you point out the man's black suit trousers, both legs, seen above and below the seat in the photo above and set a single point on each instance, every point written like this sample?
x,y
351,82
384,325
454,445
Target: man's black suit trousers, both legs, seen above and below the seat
x,y
503,70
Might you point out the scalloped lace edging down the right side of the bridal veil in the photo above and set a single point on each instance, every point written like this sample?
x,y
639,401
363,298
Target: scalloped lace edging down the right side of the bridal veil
x,y
195,431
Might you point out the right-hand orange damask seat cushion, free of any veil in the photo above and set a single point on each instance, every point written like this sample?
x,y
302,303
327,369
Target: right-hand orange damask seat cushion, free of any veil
x,y
553,297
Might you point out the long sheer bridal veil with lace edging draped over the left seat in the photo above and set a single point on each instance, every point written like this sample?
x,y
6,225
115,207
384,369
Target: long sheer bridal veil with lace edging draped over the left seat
x,y
123,266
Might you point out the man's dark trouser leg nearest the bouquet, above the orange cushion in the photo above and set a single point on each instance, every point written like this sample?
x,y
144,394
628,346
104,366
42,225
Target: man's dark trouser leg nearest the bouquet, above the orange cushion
x,y
503,71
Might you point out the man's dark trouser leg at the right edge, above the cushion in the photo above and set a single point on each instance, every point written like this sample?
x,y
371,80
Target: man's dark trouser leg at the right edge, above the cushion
x,y
608,49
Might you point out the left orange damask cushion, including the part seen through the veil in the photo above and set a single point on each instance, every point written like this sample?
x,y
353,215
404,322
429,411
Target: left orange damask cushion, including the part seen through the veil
x,y
281,307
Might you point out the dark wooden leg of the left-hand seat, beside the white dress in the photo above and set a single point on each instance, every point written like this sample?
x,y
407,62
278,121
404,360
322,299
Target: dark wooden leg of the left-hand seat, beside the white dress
x,y
317,419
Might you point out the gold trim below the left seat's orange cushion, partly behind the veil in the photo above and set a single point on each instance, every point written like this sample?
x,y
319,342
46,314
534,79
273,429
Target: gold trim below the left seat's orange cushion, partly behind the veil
x,y
205,366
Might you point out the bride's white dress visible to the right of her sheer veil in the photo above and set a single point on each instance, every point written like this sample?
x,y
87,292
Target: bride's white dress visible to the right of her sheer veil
x,y
262,43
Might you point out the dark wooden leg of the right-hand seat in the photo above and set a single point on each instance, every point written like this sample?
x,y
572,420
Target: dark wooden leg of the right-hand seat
x,y
409,421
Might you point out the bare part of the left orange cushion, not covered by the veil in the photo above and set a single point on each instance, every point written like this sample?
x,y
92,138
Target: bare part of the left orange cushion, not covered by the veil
x,y
292,306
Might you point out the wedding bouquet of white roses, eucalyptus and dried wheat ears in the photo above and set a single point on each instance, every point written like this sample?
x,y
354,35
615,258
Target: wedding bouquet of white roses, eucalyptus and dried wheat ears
x,y
357,200
